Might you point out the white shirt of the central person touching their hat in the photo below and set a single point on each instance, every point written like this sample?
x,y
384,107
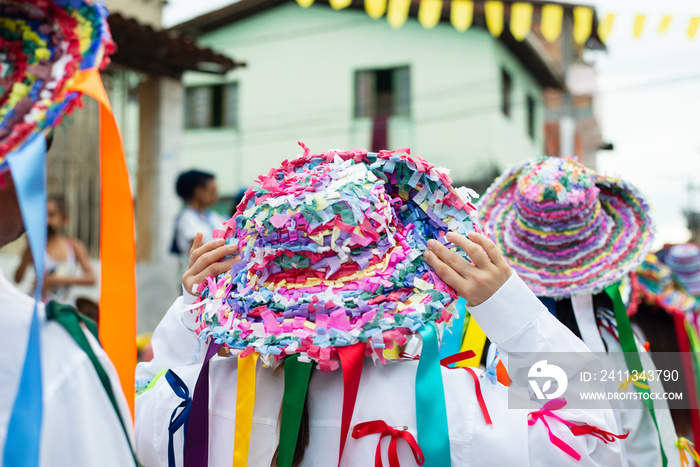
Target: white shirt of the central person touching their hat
x,y
386,392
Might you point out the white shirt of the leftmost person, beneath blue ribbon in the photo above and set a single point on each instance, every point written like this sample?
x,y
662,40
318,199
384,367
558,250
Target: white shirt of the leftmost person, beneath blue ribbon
x,y
80,426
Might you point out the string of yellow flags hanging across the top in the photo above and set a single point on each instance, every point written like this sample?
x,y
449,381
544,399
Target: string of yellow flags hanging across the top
x,y
519,21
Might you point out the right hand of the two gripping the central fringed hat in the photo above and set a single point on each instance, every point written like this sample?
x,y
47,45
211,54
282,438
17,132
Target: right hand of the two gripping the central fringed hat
x,y
475,281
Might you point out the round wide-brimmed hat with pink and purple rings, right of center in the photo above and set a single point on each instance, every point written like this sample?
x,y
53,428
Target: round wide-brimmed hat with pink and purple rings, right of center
x,y
565,229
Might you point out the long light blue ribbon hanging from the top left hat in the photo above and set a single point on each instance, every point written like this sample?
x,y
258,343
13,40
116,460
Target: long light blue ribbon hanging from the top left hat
x,y
28,169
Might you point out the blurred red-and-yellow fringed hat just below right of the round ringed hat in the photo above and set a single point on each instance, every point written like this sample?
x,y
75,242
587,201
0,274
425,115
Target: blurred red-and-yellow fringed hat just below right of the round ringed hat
x,y
655,284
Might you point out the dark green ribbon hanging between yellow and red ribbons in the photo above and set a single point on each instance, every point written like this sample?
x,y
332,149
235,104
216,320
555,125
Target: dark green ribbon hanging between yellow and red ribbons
x,y
296,383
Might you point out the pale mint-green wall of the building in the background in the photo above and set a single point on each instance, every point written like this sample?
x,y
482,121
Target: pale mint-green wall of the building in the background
x,y
299,86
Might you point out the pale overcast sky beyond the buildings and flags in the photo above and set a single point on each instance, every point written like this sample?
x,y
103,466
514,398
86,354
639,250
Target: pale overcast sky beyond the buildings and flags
x,y
648,102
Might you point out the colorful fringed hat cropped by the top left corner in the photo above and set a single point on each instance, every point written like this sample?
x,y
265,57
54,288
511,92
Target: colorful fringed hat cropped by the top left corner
x,y
44,46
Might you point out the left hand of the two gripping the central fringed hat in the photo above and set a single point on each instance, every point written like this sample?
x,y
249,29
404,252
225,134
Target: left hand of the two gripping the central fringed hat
x,y
205,260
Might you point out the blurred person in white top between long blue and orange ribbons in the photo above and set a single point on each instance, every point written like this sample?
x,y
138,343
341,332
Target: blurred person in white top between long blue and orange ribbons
x,y
66,260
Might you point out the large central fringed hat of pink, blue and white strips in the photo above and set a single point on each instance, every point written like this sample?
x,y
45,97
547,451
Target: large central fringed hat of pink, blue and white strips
x,y
332,255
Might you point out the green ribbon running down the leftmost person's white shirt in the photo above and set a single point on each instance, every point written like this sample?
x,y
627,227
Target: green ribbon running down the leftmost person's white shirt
x,y
70,319
